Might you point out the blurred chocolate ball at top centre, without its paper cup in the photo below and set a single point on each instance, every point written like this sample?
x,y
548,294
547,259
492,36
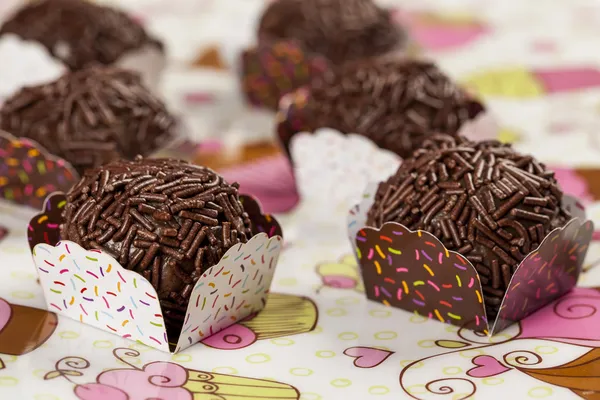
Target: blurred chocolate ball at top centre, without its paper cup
x,y
340,30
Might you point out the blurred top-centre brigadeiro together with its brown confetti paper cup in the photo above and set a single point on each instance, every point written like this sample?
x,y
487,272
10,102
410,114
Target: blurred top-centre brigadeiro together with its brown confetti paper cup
x,y
299,39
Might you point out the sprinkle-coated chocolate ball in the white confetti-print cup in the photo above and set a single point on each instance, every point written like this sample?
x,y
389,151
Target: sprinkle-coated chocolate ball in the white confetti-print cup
x,y
166,219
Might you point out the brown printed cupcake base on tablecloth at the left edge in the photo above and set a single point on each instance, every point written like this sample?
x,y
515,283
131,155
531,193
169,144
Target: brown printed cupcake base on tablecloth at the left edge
x,y
24,329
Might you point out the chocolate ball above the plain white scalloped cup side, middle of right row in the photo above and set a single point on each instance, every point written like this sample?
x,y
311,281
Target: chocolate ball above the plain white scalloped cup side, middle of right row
x,y
395,103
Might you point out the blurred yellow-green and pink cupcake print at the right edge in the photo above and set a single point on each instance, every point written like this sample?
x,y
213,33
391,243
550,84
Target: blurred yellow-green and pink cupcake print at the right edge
x,y
522,83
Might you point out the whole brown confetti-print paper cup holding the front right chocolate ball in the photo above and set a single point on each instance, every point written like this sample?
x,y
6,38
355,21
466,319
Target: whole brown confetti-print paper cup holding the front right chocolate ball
x,y
415,272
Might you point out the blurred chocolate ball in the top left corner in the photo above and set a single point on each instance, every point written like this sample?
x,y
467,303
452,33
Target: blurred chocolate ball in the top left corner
x,y
77,32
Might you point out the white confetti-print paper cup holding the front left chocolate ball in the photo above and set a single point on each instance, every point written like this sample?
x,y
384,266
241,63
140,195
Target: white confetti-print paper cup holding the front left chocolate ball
x,y
92,287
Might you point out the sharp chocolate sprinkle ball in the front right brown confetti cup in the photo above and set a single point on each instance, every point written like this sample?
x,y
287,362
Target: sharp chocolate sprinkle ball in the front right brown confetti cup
x,y
484,200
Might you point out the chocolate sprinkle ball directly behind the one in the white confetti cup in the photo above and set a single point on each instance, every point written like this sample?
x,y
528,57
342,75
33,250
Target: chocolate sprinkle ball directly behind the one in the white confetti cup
x,y
90,116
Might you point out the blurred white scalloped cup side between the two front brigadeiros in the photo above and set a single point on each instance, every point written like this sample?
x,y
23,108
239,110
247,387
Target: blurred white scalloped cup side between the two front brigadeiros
x,y
332,171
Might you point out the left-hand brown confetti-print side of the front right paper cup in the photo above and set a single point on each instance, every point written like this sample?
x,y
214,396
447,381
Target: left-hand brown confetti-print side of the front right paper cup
x,y
415,272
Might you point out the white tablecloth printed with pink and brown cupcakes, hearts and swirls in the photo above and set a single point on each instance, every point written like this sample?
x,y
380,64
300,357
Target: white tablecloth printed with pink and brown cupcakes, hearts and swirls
x,y
537,66
